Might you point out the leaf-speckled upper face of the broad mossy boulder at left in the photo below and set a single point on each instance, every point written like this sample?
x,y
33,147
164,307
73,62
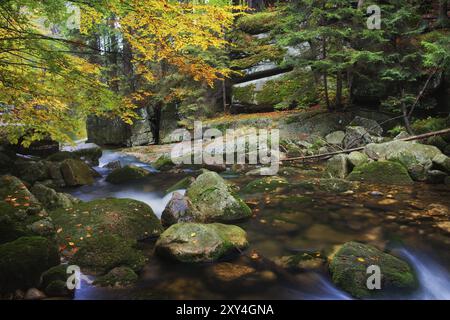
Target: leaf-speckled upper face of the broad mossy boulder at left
x,y
130,219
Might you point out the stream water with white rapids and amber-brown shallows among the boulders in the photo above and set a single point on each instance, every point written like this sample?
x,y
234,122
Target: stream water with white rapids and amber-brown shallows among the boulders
x,y
286,222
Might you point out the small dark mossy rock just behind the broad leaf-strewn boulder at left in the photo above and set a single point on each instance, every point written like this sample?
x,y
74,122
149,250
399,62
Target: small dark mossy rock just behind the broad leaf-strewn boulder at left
x,y
51,199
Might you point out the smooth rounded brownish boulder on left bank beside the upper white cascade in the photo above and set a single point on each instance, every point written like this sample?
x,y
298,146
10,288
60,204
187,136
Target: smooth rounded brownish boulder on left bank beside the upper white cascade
x,y
76,173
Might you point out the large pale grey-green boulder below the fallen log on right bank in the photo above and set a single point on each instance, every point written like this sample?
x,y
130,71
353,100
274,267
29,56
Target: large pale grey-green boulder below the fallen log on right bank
x,y
416,157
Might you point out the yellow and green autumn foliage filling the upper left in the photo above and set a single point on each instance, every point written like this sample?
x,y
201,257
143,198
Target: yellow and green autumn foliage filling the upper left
x,y
53,75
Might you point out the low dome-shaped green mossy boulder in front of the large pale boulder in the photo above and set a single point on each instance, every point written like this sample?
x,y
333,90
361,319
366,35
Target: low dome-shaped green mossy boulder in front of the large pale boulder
x,y
383,172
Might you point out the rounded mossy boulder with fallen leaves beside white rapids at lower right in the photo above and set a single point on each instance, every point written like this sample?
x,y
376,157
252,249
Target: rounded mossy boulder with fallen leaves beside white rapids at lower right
x,y
349,265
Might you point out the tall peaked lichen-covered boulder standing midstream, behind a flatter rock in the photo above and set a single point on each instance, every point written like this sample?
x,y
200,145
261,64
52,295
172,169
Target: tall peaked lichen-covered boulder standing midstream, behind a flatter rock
x,y
214,201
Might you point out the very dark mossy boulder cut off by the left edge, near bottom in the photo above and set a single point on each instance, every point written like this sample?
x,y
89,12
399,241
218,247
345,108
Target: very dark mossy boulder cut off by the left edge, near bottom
x,y
23,261
